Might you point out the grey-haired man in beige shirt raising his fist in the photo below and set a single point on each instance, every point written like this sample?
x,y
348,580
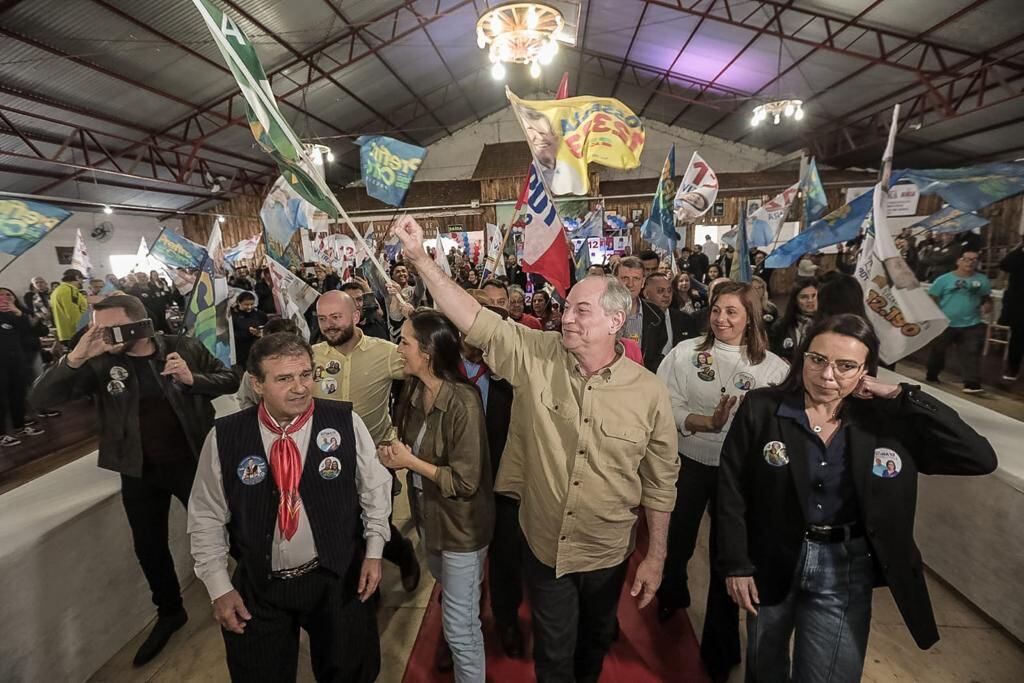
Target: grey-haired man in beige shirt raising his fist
x,y
592,440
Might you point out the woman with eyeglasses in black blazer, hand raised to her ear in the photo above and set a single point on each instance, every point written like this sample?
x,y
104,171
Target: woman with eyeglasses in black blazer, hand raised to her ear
x,y
817,504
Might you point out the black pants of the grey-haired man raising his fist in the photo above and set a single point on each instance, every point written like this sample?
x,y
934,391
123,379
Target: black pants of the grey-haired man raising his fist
x,y
574,620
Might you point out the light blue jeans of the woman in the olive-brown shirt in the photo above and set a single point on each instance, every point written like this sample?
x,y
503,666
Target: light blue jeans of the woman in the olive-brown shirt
x,y
461,578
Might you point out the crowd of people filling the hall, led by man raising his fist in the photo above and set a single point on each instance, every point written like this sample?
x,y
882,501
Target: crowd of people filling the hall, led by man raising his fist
x,y
537,437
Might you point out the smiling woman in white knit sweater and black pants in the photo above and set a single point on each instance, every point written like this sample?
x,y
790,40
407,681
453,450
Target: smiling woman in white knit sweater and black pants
x,y
707,377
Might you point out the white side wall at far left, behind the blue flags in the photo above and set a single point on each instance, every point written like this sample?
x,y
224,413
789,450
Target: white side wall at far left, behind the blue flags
x,y
42,260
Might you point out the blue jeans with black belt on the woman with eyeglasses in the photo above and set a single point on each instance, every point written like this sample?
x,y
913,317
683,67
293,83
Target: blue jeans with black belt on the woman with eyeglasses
x,y
829,611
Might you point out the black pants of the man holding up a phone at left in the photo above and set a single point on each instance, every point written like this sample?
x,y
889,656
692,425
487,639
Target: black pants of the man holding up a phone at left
x,y
148,503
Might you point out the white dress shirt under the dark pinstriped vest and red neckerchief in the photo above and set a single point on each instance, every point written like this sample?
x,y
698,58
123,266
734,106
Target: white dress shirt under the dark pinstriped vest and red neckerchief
x,y
209,516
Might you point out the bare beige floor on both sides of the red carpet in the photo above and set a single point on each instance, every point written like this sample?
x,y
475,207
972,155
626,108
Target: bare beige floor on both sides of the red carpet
x,y
972,649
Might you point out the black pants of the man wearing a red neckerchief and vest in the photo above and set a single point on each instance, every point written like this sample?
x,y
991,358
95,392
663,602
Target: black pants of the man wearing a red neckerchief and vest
x,y
345,647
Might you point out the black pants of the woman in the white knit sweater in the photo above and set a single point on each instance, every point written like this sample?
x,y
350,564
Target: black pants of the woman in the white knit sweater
x,y
696,492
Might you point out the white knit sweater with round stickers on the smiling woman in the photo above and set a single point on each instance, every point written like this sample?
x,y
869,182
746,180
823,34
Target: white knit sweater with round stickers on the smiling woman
x,y
694,390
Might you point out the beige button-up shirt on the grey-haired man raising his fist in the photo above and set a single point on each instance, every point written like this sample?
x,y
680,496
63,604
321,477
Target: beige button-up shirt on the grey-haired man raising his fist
x,y
583,453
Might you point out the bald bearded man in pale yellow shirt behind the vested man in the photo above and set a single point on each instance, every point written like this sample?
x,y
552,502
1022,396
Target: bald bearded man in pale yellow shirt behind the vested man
x,y
354,367
